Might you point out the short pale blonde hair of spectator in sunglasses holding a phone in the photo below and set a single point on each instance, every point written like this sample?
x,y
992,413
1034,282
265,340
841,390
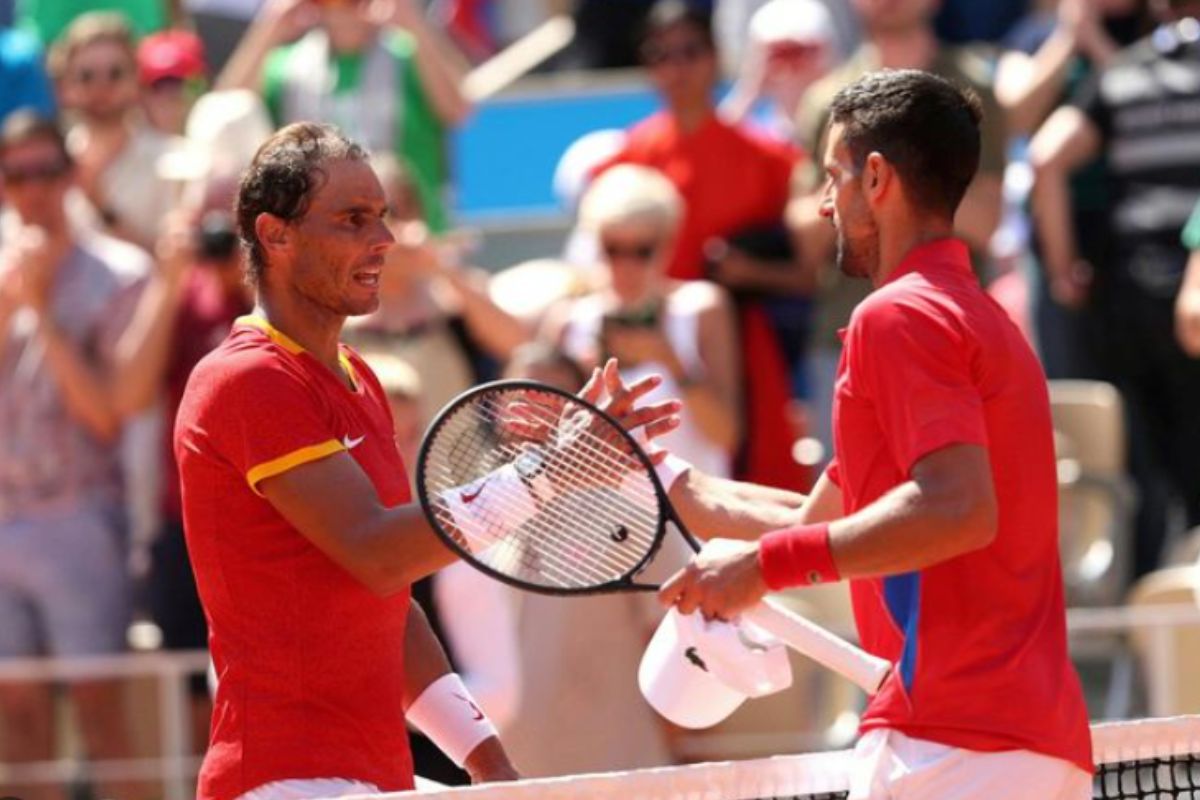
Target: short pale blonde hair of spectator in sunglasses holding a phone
x,y
631,194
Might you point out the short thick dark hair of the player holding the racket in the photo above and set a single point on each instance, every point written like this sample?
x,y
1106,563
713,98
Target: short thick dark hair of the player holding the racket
x,y
925,125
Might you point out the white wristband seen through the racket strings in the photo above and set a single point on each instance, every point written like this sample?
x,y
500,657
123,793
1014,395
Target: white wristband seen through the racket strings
x,y
491,507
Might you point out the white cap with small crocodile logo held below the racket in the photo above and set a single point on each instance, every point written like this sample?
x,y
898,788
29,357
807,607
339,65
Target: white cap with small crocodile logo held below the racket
x,y
697,673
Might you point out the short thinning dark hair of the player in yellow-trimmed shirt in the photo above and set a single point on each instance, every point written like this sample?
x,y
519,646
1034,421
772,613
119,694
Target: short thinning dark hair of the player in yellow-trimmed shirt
x,y
283,178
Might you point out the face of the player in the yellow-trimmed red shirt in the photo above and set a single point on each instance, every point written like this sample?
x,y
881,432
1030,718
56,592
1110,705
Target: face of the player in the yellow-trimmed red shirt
x,y
338,249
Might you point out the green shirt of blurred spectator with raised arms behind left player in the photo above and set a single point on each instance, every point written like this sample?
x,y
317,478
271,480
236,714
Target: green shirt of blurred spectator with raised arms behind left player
x,y
419,139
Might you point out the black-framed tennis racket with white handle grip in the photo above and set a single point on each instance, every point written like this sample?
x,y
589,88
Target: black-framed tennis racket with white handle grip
x,y
547,492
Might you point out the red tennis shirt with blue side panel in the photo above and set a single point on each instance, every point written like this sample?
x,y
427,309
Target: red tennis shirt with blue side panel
x,y
980,641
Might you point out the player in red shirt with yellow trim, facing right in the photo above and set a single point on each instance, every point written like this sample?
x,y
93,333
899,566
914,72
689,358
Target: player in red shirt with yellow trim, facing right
x,y
298,515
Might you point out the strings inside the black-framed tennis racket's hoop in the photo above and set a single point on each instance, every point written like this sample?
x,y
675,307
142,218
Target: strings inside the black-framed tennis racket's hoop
x,y
602,525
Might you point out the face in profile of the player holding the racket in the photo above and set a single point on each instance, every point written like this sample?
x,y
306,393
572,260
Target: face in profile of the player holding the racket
x,y
845,206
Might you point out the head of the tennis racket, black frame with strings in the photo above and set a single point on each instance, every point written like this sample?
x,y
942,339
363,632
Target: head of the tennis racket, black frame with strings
x,y
595,537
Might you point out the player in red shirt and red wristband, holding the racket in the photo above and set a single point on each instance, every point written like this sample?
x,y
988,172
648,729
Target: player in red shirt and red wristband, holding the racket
x,y
941,503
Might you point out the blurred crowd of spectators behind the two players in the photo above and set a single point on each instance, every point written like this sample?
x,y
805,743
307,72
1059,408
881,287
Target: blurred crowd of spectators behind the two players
x,y
650,193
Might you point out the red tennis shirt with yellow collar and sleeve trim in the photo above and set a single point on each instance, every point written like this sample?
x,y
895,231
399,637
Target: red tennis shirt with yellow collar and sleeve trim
x,y
309,661
